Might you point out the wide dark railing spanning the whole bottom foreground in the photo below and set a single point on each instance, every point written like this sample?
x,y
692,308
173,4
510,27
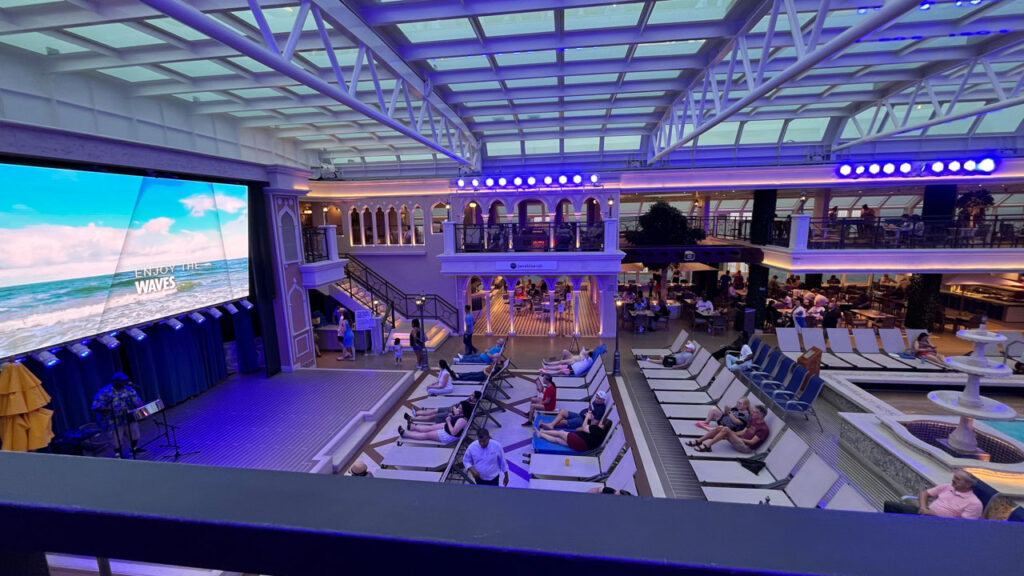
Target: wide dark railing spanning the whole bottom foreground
x,y
300,524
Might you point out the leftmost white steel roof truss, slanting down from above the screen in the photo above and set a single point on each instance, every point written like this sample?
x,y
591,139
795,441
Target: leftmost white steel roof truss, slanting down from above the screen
x,y
425,124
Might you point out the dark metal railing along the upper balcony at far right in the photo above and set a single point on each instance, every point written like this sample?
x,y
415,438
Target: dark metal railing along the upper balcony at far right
x,y
1006,232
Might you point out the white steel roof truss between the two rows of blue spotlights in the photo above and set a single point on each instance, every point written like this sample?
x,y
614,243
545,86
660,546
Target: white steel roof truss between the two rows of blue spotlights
x,y
707,103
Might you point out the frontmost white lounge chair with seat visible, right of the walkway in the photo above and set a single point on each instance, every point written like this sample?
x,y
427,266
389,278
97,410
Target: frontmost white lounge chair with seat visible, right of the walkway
x,y
808,486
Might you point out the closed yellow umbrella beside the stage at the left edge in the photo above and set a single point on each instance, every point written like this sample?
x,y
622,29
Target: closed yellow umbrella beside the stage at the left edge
x,y
25,425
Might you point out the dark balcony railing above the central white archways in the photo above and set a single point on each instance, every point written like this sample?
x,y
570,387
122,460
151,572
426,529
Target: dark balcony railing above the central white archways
x,y
545,237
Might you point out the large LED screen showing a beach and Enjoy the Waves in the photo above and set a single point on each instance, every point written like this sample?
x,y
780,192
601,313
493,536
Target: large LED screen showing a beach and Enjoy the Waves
x,y
83,254
